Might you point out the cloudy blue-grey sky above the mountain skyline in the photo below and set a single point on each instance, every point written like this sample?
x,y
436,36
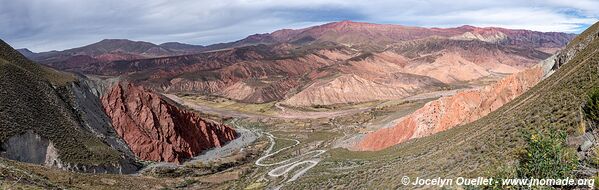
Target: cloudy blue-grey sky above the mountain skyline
x,y
43,25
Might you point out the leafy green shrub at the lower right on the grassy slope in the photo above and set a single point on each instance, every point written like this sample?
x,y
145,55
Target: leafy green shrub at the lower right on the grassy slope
x,y
546,156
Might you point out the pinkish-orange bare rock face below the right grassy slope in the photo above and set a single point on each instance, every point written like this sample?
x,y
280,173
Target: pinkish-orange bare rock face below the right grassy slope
x,y
448,112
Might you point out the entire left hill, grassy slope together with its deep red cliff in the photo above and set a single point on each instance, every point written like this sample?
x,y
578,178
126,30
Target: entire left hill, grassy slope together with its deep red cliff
x,y
89,124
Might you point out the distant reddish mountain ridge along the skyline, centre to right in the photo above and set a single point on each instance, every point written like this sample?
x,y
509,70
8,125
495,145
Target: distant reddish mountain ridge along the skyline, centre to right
x,y
379,35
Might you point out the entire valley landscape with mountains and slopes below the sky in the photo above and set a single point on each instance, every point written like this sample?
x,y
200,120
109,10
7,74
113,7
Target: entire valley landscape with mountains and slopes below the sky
x,y
341,105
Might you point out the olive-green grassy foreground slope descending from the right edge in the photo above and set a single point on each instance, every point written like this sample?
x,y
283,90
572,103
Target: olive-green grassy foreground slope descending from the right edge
x,y
478,148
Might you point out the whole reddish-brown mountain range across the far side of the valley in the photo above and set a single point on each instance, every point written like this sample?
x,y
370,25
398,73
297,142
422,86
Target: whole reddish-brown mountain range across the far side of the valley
x,y
312,66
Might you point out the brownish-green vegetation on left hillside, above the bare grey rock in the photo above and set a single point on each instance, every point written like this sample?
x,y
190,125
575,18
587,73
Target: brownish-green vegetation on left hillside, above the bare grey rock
x,y
38,99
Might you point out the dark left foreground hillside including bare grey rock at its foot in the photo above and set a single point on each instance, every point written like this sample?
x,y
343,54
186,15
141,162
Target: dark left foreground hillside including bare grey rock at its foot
x,y
40,113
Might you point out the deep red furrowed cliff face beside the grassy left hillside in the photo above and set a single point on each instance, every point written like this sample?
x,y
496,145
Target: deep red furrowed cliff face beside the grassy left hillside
x,y
156,130
